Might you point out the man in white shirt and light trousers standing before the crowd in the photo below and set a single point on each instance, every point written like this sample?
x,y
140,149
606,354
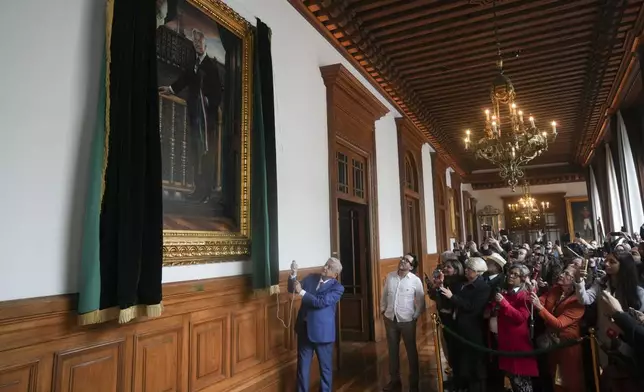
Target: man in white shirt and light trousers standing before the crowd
x,y
403,300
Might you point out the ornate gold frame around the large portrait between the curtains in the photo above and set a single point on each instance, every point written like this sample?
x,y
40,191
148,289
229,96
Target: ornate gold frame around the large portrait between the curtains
x,y
188,247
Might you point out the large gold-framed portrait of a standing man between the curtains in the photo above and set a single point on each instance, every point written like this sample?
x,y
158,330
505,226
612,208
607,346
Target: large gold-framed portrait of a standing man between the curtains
x,y
204,75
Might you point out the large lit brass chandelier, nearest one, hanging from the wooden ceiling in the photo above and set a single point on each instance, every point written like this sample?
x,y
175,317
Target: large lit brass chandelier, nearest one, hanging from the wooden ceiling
x,y
509,139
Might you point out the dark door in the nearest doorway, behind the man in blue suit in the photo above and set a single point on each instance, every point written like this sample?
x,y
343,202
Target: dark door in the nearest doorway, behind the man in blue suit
x,y
353,233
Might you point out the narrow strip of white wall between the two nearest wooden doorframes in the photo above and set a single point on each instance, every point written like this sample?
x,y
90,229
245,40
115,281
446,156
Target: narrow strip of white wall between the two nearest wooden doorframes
x,y
389,217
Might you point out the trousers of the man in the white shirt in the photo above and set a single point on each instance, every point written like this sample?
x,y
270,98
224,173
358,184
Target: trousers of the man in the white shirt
x,y
406,330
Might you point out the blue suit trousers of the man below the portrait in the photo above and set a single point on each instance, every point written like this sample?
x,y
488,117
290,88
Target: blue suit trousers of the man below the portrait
x,y
305,350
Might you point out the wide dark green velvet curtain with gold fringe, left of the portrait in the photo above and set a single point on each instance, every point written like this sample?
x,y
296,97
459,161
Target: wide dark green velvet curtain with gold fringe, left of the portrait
x,y
122,247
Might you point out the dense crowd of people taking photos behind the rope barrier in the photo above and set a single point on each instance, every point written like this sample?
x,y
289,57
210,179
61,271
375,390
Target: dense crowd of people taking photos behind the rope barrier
x,y
538,303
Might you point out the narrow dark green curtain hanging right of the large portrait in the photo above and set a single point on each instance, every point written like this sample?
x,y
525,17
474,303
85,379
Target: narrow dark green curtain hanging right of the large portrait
x,y
264,245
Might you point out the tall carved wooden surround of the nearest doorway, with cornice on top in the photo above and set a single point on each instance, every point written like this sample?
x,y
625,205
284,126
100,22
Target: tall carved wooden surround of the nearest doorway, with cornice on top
x,y
352,112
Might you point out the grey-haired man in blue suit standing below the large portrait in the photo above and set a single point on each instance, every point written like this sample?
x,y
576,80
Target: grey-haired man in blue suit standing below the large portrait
x,y
315,325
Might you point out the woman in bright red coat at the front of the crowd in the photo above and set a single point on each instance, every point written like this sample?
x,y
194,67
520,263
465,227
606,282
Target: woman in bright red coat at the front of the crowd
x,y
513,314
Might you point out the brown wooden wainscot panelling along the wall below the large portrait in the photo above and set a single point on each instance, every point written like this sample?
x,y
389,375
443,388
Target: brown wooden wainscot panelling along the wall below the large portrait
x,y
214,335
